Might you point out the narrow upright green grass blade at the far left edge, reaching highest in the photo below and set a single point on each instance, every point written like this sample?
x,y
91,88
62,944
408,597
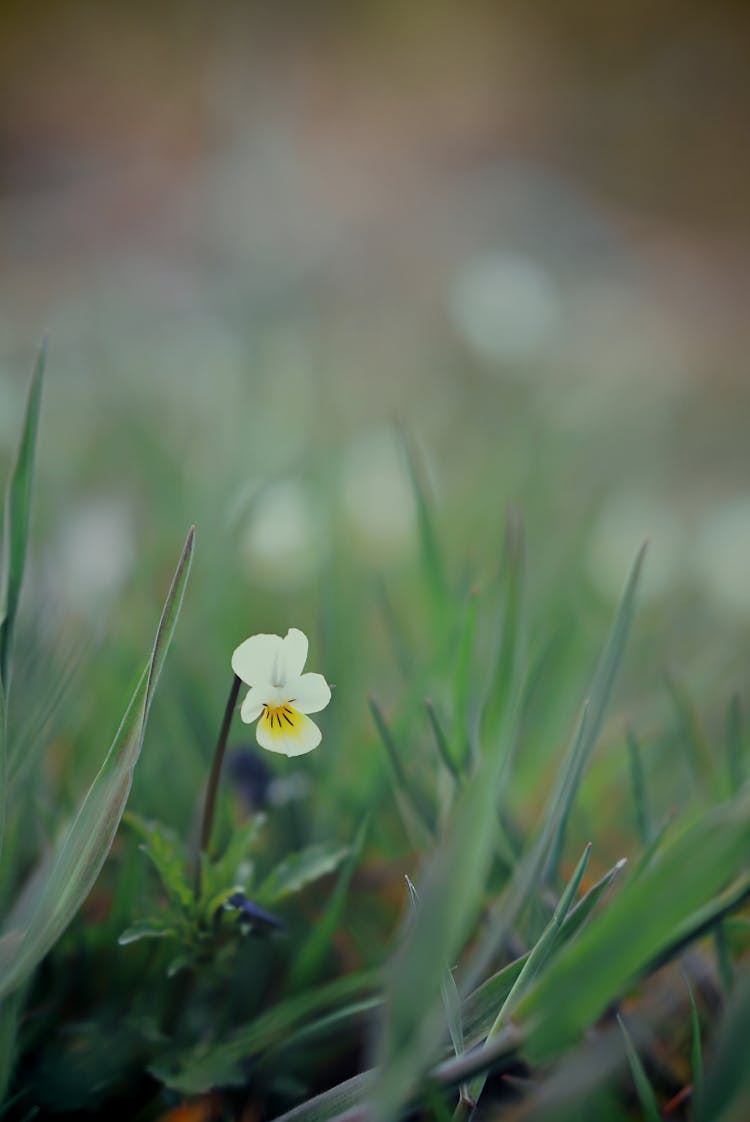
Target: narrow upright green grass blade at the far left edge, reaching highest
x,y
19,504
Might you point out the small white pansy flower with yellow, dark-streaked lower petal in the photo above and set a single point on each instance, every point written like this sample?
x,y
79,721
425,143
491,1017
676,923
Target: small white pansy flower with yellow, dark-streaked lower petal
x,y
280,694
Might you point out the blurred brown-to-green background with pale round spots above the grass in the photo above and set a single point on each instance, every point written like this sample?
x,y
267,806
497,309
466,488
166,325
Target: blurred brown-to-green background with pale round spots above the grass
x,y
262,238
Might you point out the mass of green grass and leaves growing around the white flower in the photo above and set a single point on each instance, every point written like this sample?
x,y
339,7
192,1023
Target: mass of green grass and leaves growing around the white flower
x,y
280,971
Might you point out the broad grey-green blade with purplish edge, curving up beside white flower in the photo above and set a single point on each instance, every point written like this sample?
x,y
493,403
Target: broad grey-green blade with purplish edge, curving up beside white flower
x,y
65,881
